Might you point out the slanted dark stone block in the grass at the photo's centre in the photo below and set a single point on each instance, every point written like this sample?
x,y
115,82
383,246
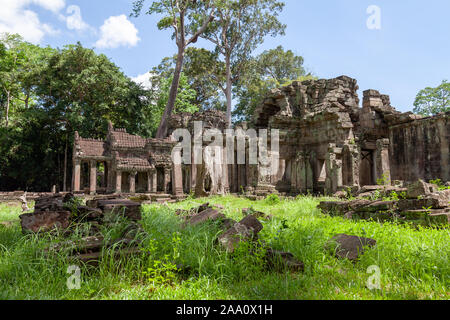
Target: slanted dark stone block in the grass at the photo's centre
x,y
245,230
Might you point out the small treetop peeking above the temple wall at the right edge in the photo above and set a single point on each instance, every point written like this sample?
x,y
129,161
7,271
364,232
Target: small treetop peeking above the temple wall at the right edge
x,y
431,101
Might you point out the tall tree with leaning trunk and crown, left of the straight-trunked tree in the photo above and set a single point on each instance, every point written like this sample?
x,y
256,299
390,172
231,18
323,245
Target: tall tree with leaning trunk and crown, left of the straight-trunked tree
x,y
188,19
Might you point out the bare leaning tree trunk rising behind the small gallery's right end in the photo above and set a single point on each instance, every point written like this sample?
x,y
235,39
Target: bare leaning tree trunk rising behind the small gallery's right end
x,y
164,125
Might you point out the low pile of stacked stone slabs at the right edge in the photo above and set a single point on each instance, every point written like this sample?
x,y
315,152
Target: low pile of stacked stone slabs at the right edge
x,y
422,204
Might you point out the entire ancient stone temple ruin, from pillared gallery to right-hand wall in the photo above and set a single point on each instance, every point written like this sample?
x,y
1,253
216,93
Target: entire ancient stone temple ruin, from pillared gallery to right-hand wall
x,y
327,143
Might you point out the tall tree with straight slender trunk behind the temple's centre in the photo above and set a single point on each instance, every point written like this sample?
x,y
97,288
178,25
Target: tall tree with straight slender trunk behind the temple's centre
x,y
240,27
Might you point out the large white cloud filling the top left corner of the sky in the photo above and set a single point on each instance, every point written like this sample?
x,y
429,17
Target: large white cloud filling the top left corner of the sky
x,y
16,18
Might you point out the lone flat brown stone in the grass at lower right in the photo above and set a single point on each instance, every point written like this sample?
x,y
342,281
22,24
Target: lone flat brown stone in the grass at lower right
x,y
349,247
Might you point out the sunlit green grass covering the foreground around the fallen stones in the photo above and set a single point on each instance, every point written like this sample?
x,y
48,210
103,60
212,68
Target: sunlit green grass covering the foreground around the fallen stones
x,y
414,263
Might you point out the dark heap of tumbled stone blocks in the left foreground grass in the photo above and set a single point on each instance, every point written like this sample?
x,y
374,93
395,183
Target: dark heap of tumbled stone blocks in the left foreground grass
x,y
62,213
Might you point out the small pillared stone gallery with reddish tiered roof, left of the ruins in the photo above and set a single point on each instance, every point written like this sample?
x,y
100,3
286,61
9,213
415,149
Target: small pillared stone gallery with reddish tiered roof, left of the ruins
x,y
122,163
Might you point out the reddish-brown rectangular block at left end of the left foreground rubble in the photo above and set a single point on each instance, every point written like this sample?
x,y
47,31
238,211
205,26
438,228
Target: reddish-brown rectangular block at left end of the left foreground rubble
x,y
45,221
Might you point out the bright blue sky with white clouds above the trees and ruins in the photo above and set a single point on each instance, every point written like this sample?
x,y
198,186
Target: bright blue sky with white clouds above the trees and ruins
x,y
410,52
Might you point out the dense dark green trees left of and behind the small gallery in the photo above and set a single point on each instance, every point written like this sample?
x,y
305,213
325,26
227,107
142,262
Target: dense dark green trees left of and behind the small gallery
x,y
51,94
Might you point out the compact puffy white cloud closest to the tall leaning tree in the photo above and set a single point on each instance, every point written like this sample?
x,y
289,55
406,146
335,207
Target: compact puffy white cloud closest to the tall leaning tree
x,y
117,31
